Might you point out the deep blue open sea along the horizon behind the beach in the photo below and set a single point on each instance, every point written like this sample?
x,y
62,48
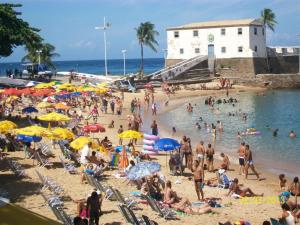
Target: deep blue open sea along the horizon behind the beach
x,y
115,66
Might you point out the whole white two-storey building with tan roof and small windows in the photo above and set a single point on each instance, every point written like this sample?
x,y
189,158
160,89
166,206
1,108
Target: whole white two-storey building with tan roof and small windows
x,y
224,39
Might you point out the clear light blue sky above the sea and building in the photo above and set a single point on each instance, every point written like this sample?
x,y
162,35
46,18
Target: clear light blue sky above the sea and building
x,y
69,25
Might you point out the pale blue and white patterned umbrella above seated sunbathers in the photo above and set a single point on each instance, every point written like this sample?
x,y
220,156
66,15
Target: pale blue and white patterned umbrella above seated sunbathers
x,y
143,169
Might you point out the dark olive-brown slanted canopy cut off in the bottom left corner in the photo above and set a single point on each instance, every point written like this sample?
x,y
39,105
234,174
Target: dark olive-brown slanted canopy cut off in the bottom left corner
x,y
12,214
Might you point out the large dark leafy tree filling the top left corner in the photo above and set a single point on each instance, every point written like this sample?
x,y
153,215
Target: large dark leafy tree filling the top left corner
x,y
15,31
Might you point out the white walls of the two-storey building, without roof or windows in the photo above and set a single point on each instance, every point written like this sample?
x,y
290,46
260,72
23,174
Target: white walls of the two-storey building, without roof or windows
x,y
231,40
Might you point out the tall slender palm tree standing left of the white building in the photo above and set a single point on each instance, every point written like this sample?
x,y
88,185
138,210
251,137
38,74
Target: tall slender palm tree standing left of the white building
x,y
146,34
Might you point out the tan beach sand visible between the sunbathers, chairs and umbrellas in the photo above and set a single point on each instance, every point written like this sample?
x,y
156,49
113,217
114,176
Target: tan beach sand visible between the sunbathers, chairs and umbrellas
x,y
25,192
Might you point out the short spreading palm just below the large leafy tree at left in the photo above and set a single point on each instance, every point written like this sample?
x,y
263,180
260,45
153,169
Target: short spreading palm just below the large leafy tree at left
x,y
46,54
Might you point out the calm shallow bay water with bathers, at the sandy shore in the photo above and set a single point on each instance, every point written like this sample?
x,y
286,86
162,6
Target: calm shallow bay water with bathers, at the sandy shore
x,y
278,109
